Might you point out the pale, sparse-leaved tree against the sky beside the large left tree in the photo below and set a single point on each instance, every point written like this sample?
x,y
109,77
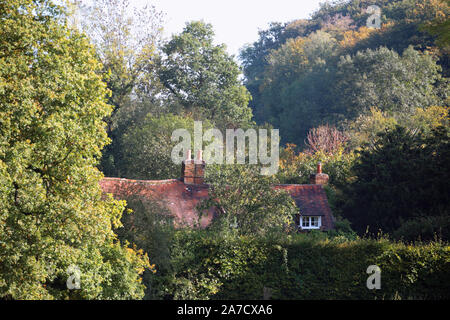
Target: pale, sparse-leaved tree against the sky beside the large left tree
x,y
126,45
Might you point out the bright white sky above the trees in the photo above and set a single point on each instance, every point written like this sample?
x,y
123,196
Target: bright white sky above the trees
x,y
235,22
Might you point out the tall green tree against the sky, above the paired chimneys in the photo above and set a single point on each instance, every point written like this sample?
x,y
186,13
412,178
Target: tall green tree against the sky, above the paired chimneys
x,y
204,78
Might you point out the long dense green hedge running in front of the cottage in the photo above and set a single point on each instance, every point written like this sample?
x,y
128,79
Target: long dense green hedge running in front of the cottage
x,y
212,266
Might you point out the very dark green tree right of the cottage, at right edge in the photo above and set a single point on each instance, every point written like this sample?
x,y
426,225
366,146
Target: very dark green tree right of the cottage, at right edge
x,y
399,176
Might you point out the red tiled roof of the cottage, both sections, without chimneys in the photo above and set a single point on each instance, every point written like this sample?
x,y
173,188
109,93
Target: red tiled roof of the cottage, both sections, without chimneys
x,y
181,199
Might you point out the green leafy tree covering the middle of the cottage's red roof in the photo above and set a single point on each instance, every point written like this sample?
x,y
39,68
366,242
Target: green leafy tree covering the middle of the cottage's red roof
x,y
247,202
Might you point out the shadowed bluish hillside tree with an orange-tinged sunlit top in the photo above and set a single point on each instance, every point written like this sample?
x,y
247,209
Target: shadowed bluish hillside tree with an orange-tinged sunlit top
x,y
295,94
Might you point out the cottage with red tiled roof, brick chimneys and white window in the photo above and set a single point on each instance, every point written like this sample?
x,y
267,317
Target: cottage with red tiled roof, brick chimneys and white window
x,y
181,196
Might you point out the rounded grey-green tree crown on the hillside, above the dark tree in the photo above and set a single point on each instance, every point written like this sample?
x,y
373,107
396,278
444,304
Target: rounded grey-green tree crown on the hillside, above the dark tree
x,y
383,79
